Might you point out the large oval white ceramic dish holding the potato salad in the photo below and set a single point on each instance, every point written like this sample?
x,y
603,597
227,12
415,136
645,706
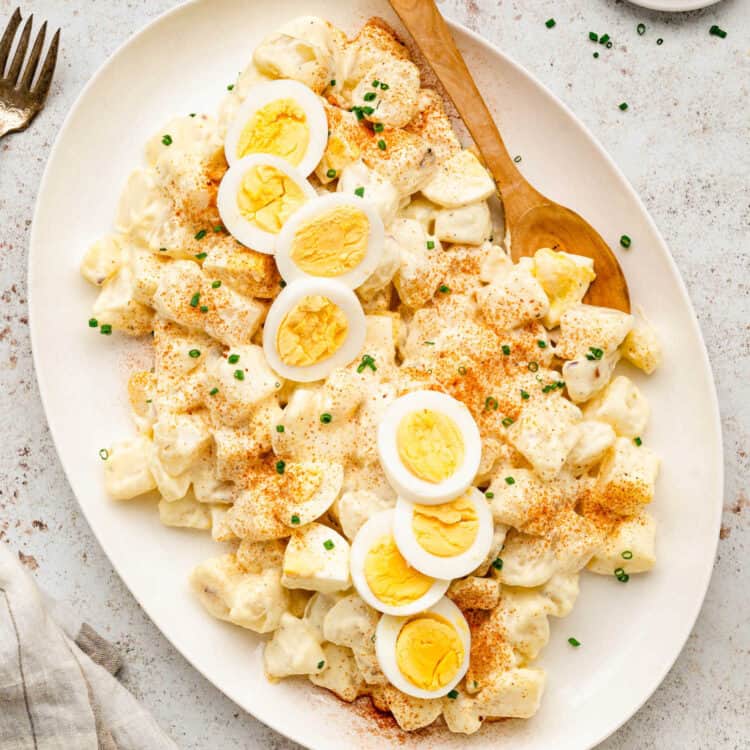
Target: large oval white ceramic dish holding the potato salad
x,y
631,634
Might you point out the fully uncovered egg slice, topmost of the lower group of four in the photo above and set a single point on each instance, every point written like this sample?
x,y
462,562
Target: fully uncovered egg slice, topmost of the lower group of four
x,y
429,447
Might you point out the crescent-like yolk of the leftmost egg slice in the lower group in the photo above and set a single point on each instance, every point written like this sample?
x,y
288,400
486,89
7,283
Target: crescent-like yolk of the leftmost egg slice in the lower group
x,y
390,578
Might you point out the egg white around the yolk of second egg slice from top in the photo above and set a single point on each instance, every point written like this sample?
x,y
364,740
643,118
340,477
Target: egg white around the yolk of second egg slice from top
x,y
238,226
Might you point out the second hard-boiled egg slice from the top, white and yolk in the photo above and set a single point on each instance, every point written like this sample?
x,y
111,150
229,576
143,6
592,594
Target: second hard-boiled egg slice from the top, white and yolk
x,y
257,196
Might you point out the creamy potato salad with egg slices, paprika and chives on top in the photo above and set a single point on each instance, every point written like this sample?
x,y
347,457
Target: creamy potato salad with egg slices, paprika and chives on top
x,y
407,447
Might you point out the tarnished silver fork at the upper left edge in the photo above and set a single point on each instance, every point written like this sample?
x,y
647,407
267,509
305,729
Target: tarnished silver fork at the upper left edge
x,y
21,102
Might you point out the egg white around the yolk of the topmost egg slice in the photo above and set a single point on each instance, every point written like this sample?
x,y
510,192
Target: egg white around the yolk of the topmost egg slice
x,y
265,93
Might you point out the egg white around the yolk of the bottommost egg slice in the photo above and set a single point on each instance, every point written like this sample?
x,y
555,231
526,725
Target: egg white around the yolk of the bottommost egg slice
x,y
386,636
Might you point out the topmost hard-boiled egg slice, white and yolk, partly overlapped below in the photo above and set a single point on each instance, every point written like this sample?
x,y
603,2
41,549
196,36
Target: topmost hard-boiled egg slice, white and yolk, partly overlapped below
x,y
282,118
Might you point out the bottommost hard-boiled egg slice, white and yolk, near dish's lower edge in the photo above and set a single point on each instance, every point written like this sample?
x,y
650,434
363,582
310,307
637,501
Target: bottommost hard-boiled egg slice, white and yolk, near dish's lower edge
x,y
426,655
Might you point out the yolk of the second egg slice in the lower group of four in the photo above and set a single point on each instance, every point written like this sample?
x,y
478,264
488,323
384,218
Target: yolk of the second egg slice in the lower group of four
x,y
446,530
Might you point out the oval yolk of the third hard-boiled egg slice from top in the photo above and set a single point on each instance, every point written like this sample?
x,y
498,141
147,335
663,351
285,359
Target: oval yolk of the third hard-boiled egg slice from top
x,y
333,243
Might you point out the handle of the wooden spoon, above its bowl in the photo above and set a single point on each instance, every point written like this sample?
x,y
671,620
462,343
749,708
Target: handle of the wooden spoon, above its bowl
x,y
424,22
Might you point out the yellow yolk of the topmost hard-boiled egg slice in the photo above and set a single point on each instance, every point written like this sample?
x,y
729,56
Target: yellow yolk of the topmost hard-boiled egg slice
x,y
280,128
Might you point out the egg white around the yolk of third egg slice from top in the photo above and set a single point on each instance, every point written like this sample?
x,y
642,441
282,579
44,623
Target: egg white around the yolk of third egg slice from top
x,y
290,271
